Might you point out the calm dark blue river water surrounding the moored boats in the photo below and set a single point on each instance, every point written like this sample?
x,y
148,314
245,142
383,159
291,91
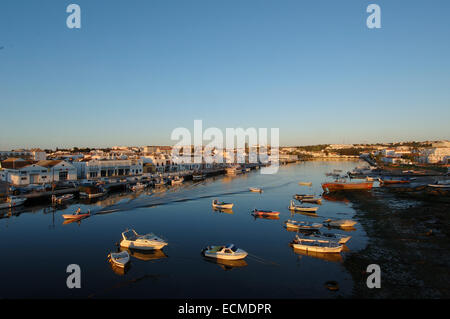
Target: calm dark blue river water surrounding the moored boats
x,y
37,247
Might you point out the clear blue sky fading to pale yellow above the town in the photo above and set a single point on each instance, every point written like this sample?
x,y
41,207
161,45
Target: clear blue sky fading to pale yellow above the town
x,y
138,69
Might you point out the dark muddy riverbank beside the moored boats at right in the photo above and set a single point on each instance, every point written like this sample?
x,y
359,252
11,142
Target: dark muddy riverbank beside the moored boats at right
x,y
409,239
